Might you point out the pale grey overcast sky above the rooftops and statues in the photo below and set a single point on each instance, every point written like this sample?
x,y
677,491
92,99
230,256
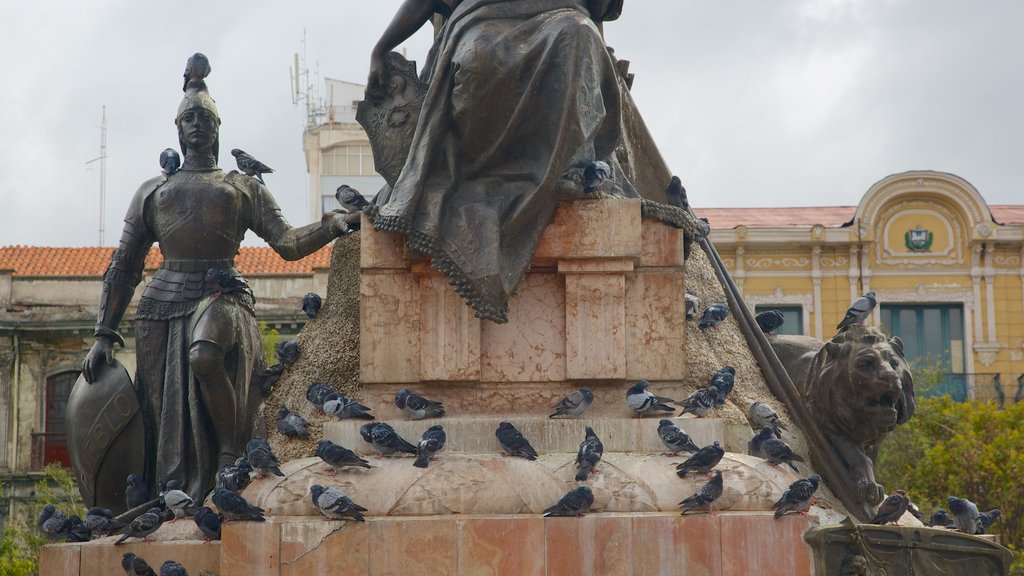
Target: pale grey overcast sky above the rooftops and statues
x,y
753,103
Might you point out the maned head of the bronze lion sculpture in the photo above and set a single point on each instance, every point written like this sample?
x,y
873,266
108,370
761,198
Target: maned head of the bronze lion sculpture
x,y
860,386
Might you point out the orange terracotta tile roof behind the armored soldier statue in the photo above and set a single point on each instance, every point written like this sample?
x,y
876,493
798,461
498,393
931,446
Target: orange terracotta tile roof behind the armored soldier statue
x,y
47,262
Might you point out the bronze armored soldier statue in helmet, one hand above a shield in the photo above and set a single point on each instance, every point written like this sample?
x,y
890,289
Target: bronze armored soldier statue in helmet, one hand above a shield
x,y
197,338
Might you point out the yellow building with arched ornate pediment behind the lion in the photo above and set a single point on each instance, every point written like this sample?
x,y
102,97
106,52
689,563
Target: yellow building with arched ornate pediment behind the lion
x,y
948,271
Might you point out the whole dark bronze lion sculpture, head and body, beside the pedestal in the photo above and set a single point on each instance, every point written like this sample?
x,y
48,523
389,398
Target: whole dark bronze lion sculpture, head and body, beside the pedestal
x,y
858,388
